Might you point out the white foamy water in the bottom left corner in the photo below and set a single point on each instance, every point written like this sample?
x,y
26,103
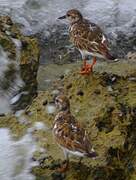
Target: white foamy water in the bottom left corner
x,y
15,157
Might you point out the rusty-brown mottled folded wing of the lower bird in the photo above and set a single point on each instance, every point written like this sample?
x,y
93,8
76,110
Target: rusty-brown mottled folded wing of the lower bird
x,y
71,135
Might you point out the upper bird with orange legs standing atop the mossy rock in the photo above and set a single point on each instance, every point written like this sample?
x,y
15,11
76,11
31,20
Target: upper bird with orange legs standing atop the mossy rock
x,y
88,39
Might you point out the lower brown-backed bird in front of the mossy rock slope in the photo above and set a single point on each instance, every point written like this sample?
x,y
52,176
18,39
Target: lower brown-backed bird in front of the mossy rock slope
x,y
69,134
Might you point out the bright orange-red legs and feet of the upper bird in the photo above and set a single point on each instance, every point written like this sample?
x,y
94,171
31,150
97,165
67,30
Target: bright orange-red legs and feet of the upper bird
x,y
87,68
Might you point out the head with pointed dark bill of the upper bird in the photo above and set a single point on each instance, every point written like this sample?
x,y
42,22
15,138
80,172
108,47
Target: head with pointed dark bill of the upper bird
x,y
72,15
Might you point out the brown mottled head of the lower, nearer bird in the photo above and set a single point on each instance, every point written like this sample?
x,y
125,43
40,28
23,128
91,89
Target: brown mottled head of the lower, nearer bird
x,y
62,103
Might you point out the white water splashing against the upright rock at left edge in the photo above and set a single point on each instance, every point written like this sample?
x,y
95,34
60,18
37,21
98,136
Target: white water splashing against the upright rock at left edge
x,y
14,85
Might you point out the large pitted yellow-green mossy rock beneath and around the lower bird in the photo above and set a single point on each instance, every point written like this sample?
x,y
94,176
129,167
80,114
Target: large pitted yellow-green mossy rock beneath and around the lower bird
x,y
108,114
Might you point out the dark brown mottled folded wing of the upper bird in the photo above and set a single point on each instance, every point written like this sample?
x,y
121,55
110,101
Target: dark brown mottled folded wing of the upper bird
x,y
88,36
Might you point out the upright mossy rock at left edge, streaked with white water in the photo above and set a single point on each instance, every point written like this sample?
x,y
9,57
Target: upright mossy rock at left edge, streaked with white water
x,y
23,62
